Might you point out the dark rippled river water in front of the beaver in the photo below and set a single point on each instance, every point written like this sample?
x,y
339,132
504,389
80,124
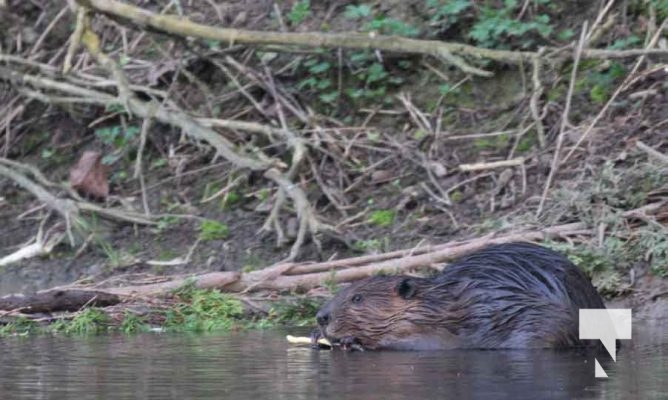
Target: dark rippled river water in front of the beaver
x,y
261,365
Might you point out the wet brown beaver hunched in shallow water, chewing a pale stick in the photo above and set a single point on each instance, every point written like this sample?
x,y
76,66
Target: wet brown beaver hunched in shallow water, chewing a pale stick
x,y
513,295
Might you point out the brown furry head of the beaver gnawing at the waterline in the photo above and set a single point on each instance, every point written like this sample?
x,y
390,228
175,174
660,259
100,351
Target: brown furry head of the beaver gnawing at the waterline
x,y
383,312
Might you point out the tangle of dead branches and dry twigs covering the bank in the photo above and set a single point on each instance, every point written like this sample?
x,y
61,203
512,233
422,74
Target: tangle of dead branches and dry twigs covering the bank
x,y
318,169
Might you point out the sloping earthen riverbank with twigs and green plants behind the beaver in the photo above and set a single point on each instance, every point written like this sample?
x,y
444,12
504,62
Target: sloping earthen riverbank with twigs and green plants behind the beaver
x,y
267,154
